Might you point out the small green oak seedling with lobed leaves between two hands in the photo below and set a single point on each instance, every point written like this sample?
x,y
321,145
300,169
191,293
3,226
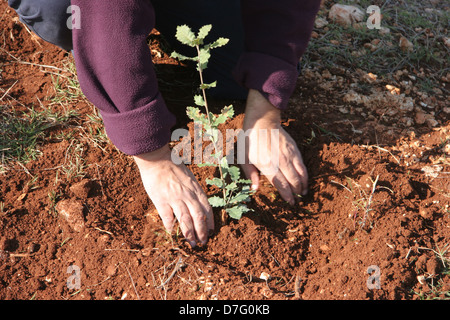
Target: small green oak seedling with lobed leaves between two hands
x,y
234,190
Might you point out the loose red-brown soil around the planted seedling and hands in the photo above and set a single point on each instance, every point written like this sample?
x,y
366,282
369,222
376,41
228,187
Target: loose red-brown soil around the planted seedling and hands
x,y
321,248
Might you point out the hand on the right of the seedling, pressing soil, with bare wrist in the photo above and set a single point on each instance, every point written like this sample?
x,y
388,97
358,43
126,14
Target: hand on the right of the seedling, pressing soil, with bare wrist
x,y
276,156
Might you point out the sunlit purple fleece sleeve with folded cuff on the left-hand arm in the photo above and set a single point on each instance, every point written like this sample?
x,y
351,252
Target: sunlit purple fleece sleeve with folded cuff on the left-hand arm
x,y
116,74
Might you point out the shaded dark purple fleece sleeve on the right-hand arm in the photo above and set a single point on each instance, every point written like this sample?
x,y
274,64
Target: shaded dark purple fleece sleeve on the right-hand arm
x,y
276,36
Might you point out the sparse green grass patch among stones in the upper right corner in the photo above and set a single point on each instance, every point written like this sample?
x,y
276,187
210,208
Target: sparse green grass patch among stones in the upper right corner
x,y
421,23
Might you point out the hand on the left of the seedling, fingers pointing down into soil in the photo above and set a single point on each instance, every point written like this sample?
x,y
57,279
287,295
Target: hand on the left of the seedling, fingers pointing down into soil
x,y
175,191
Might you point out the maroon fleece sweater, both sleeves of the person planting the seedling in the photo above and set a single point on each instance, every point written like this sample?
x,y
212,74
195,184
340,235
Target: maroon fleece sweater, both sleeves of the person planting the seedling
x,y
115,71
